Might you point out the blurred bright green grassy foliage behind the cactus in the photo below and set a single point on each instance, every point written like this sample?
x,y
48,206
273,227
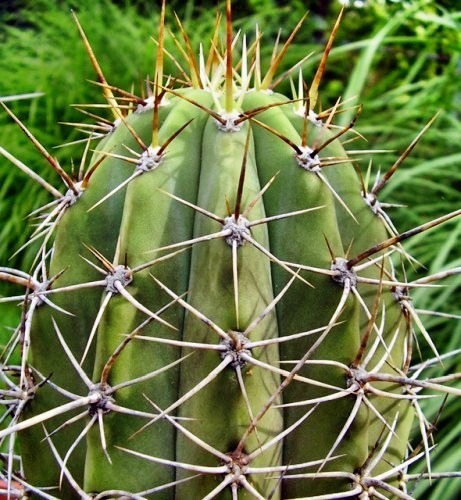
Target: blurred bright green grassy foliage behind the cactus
x,y
400,59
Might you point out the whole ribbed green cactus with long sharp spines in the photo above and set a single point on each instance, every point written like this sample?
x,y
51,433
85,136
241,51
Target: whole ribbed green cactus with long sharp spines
x,y
218,306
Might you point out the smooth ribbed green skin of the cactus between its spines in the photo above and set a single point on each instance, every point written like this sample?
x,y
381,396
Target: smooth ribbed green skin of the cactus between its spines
x,y
202,166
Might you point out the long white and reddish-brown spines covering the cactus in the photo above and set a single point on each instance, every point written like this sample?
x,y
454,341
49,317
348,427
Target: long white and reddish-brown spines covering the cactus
x,y
235,347
